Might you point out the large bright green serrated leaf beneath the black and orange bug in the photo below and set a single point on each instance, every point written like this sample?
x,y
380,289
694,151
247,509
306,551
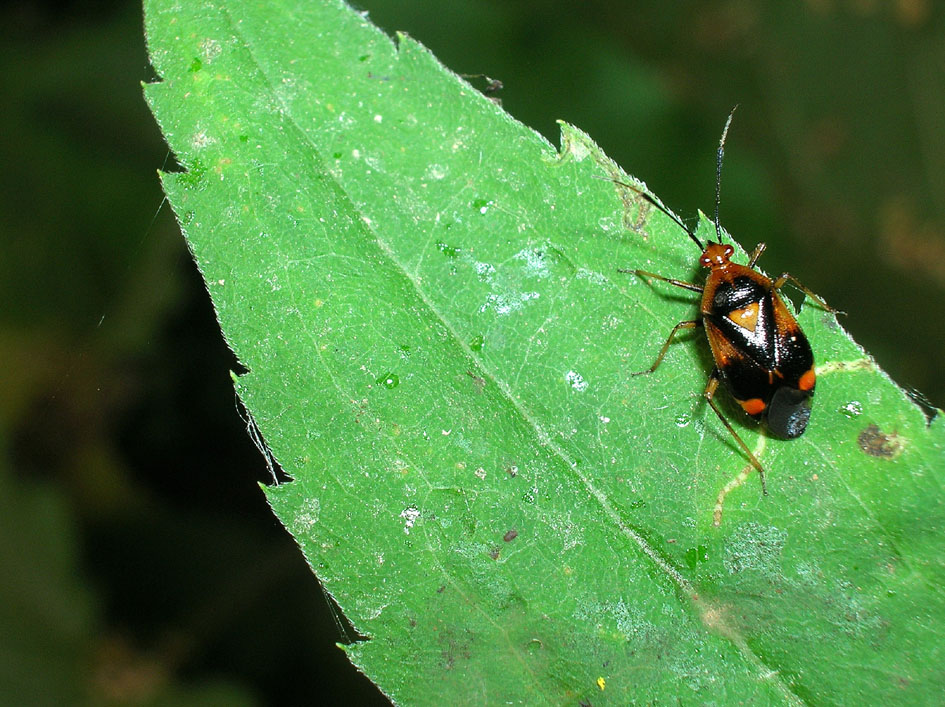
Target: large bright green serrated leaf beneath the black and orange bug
x,y
426,296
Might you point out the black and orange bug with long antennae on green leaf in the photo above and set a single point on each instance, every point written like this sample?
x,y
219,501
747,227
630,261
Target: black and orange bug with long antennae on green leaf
x,y
760,352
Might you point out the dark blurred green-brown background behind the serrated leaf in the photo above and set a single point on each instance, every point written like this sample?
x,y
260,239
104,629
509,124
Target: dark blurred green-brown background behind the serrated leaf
x,y
140,563
